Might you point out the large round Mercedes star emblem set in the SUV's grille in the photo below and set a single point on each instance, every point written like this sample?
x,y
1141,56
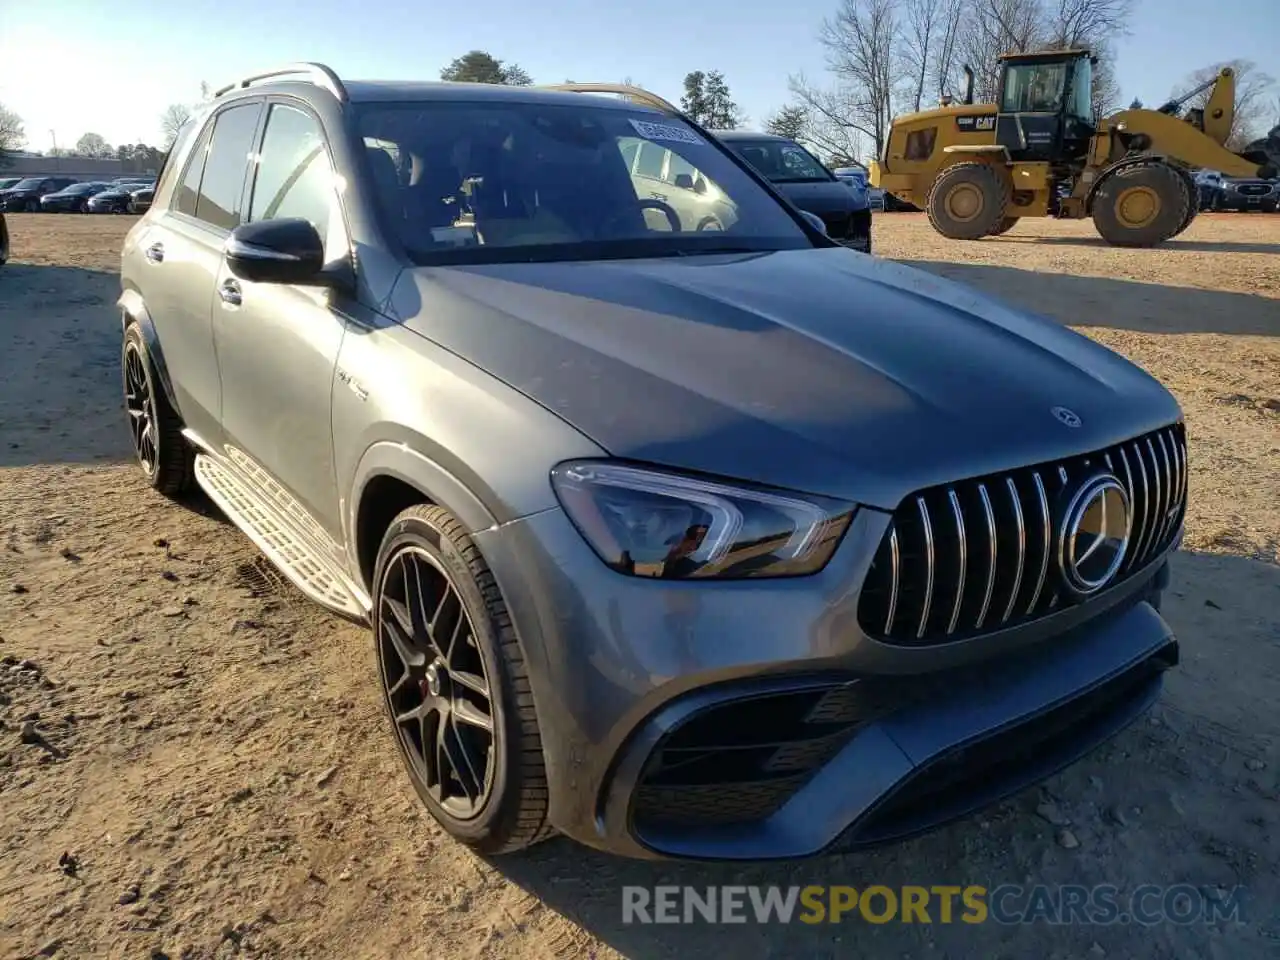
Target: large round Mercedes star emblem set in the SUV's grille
x,y
1095,534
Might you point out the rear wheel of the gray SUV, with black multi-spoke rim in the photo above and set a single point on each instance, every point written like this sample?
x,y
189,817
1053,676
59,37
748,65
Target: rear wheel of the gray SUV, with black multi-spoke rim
x,y
168,464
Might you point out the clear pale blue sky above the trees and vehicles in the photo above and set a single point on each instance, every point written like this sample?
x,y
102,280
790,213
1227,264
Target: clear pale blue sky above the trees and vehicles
x,y
75,66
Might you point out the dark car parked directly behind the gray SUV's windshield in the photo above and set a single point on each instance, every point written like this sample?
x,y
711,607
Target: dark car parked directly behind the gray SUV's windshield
x,y
801,177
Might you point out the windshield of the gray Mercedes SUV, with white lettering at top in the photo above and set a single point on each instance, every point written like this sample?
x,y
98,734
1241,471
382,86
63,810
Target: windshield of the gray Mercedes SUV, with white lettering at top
x,y
491,182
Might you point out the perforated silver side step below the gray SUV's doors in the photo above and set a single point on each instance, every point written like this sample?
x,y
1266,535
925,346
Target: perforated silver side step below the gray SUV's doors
x,y
287,548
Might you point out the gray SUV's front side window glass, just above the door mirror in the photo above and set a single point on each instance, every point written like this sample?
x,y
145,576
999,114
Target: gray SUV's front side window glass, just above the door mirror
x,y
294,175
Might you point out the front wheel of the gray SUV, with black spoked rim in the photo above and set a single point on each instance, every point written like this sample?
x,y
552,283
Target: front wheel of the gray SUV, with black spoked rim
x,y
511,812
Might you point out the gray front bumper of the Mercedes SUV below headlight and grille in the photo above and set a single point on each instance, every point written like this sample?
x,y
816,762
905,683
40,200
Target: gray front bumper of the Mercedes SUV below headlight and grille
x,y
757,721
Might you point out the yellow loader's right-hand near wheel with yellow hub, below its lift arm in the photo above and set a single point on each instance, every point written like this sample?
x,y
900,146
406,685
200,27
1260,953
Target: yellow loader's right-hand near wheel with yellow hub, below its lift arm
x,y
1141,207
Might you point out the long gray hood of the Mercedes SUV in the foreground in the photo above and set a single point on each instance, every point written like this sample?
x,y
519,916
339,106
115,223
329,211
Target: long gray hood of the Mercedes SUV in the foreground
x,y
819,371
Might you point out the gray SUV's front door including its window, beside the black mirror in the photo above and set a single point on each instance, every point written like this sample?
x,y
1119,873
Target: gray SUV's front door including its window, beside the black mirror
x,y
278,344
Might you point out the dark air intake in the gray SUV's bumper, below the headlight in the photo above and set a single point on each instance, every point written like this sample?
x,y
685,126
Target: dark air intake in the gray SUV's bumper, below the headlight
x,y
740,761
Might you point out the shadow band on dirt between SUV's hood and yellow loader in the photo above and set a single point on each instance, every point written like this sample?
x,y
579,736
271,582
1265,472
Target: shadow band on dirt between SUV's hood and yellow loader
x,y
1123,305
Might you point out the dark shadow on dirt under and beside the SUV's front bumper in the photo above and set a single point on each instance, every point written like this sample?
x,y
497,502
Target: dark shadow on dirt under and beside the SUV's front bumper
x,y
1174,799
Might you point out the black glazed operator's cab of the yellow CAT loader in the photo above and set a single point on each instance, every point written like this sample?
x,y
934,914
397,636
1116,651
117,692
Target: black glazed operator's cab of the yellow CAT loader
x,y
1046,106
